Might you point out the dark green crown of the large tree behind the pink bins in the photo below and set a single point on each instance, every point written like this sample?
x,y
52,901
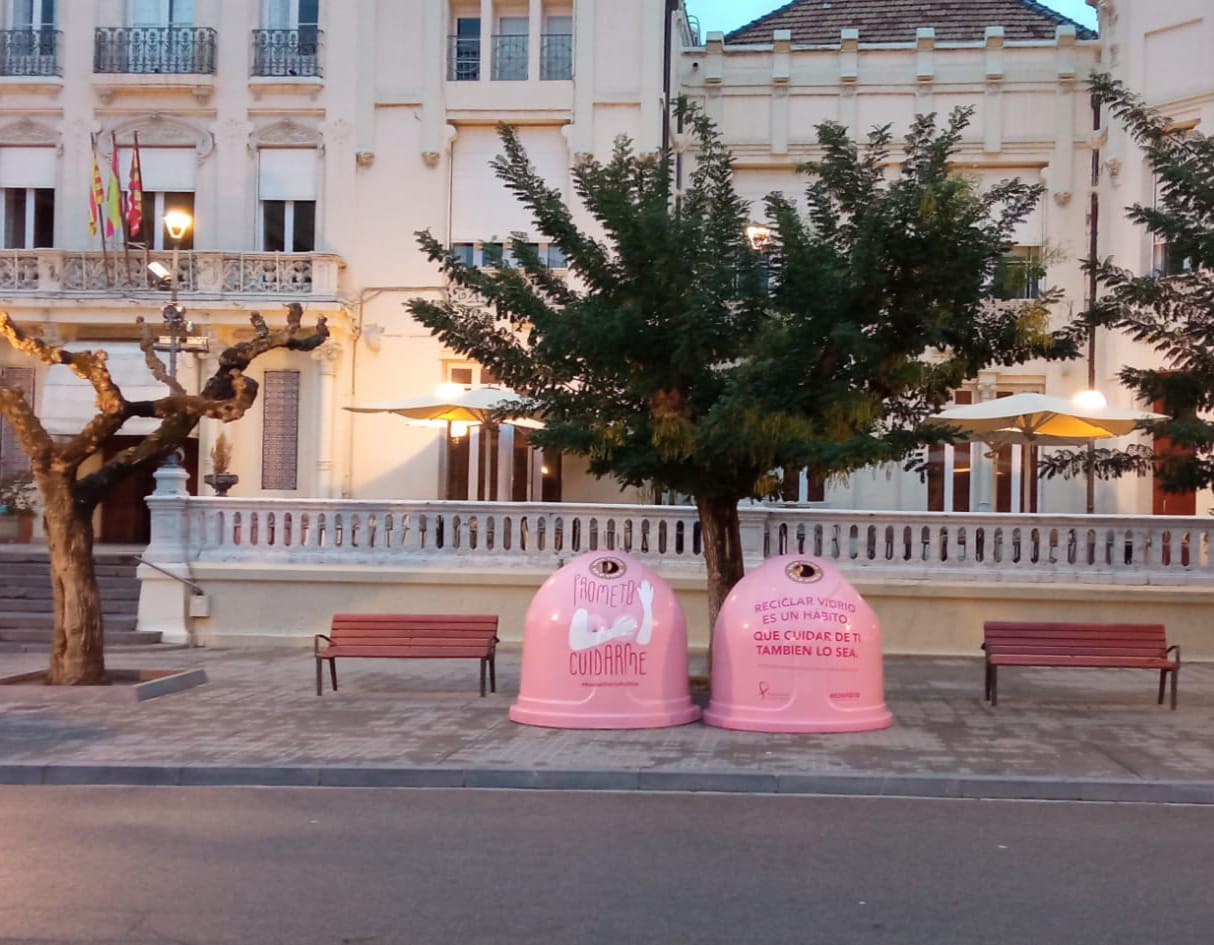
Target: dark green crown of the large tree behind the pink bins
x,y
680,357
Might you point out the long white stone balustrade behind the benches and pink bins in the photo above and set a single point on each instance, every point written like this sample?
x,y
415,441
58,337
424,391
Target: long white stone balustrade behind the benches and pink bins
x,y
895,545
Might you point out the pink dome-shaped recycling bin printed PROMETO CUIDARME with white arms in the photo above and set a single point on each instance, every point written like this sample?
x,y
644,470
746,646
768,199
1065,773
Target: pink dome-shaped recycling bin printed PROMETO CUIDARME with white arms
x,y
605,647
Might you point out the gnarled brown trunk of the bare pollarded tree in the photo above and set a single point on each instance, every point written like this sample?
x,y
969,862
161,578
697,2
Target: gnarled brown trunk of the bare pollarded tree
x,y
77,646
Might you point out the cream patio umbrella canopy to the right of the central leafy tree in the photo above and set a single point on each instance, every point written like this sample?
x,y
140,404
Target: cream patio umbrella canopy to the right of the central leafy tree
x,y
1041,420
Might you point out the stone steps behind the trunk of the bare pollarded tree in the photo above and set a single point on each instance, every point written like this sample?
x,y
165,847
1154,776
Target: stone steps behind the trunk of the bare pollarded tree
x,y
27,609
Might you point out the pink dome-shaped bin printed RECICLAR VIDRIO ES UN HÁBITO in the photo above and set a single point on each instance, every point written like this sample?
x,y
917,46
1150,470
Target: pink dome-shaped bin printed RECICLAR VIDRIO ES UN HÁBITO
x,y
797,649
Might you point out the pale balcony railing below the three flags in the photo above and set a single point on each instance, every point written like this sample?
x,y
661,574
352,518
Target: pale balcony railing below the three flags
x,y
50,273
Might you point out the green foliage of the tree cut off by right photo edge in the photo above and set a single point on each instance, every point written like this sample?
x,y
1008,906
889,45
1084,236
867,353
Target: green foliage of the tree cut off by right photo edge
x,y
1171,314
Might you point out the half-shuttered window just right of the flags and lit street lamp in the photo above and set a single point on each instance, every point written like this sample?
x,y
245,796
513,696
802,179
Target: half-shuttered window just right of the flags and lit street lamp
x,y
287,190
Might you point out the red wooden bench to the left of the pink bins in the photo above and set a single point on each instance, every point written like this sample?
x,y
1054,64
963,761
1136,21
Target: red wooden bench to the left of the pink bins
x,y
410,636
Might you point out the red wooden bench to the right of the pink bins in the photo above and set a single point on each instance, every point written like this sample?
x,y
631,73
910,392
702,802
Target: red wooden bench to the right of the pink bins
x,y
1133,646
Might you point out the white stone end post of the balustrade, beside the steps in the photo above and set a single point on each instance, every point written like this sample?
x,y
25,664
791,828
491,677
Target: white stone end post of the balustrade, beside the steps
x,y
164,598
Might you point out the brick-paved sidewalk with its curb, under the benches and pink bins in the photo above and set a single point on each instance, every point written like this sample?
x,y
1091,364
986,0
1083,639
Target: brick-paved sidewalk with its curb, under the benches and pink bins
x,y
1063,734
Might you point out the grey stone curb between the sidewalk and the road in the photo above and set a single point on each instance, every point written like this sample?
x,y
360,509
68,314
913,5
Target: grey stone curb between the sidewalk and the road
x,y
650,780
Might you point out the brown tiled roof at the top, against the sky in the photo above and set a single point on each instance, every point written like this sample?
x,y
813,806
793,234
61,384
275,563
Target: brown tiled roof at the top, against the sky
x,y
819,22
